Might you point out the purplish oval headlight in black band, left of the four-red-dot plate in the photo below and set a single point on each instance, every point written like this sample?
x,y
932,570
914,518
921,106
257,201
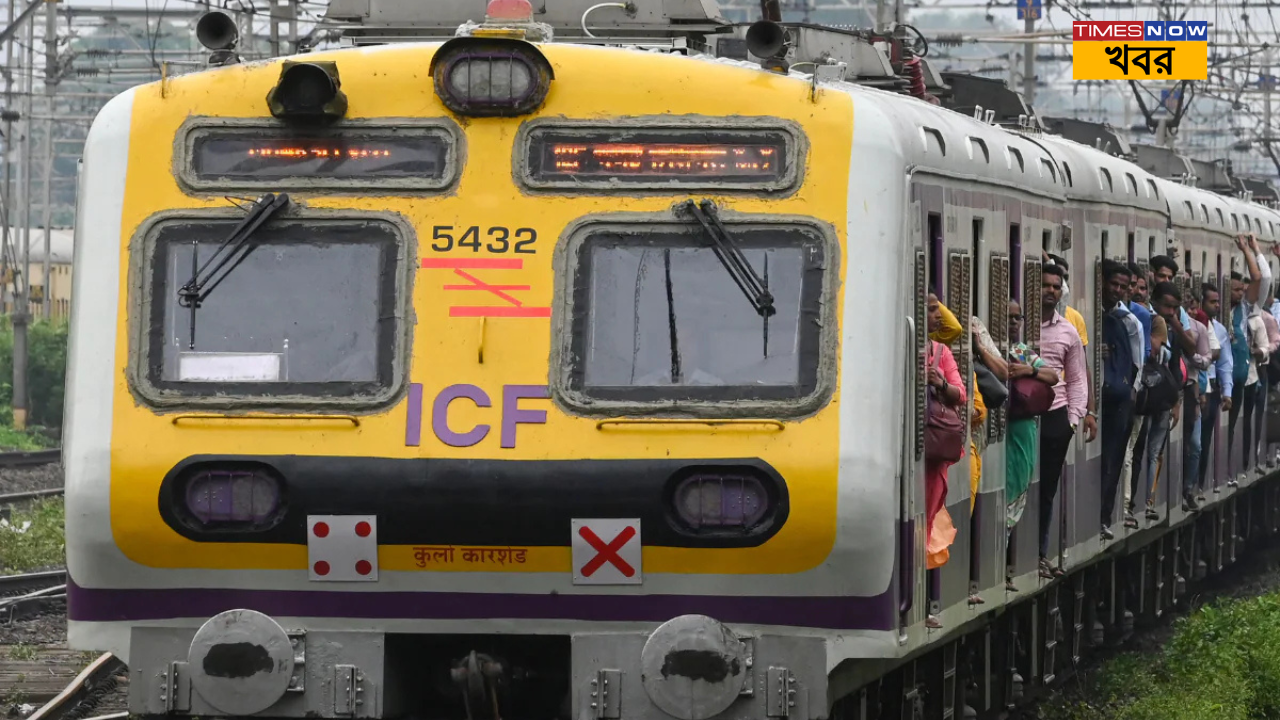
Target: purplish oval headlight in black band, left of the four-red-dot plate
x,y
234,499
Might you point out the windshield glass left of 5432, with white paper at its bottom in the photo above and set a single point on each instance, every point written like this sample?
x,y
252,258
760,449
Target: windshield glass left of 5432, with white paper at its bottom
x,y
310,313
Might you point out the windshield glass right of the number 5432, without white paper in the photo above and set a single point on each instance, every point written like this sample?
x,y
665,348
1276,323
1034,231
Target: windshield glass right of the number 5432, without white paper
x,y
659,318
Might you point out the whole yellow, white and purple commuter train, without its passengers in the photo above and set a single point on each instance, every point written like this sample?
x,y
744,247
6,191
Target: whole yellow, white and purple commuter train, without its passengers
x,y
368,414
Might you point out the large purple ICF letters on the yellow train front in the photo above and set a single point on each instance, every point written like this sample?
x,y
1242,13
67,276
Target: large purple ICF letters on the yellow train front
x,y
513,416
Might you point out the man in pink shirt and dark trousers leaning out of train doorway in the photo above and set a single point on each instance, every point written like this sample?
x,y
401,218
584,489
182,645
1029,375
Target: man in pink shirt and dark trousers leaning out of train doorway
x,y
1063,352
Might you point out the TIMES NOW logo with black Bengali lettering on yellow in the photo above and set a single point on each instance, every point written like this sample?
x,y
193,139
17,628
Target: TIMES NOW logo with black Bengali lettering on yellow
x,y
1140,51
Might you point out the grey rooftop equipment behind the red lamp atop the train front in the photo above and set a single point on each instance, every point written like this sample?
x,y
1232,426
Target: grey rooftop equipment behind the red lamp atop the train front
x,y
643,22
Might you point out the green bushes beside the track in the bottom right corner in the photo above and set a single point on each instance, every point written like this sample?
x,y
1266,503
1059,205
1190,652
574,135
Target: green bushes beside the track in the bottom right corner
x,y
1222,664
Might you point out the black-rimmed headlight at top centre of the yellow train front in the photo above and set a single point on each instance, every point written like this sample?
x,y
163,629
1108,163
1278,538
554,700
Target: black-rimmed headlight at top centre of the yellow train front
x,y
491,78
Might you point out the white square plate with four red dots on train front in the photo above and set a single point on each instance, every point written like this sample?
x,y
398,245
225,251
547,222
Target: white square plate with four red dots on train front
x,y
342,548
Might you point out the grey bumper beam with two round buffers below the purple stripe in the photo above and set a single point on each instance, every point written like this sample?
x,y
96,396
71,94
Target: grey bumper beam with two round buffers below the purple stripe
x,y
691,668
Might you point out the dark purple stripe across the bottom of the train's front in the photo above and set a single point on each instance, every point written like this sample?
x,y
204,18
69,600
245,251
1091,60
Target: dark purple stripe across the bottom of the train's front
x,y
834,613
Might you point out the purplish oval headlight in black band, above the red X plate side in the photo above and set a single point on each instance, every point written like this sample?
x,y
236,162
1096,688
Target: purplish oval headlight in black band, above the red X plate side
x,y
721,499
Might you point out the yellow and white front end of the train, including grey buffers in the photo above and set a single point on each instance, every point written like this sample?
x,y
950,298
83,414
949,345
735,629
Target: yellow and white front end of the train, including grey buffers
x,y
469,380
